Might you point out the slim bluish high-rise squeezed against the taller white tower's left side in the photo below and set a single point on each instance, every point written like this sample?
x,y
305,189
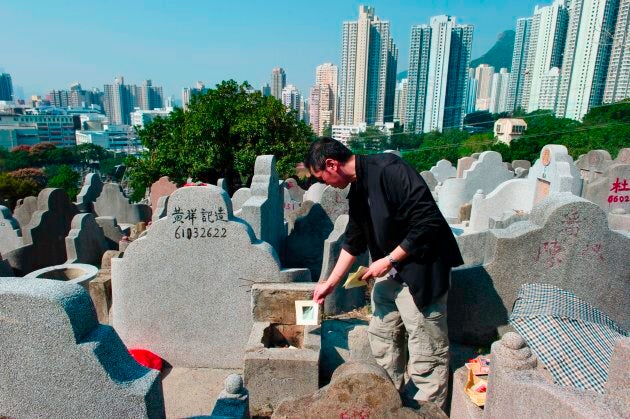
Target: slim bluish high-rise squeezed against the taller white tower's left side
x,y
519,64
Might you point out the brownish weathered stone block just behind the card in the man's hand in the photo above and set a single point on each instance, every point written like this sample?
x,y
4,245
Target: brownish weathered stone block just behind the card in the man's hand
x,y
275,303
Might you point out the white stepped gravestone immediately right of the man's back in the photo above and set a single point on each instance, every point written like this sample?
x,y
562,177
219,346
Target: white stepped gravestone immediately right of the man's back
x,y
485,174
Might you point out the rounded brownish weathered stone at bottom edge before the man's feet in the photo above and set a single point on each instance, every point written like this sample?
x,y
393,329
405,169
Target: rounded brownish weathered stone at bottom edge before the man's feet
x,y
356,390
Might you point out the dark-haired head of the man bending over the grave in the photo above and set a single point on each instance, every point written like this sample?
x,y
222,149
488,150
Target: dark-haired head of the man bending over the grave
x,y
328,159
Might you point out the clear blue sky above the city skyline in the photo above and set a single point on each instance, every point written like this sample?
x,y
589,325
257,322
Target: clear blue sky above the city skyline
x,y
49,45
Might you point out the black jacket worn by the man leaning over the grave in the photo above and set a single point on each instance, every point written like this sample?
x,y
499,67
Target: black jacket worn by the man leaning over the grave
x,y
391,205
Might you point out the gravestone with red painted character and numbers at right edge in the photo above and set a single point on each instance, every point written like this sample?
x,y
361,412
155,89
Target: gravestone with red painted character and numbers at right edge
x,y
611,190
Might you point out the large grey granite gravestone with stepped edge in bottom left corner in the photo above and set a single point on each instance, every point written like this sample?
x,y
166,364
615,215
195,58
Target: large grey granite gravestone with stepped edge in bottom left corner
x,y
57,361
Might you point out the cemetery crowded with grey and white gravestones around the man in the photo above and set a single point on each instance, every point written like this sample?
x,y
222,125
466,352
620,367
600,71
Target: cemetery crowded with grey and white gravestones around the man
x,y
207,282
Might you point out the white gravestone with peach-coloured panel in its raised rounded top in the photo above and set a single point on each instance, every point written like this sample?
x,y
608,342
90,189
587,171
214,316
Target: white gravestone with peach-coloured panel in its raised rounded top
x,y
553,172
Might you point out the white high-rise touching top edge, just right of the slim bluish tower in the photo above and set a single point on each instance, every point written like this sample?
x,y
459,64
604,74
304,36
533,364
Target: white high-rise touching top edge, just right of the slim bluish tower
x,y
546,48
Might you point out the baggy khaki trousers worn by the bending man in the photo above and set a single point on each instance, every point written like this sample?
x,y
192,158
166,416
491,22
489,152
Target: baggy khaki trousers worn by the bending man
x,y
394,311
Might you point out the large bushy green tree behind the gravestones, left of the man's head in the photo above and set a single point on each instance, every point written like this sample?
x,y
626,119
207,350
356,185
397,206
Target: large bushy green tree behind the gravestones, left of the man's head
x,y
220,135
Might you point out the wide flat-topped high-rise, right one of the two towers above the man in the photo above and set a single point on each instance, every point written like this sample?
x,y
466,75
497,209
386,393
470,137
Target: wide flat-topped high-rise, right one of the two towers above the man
x,y
439,57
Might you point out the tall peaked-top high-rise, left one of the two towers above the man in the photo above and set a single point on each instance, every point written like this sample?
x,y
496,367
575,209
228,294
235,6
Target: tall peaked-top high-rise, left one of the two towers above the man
x,y
368,70
